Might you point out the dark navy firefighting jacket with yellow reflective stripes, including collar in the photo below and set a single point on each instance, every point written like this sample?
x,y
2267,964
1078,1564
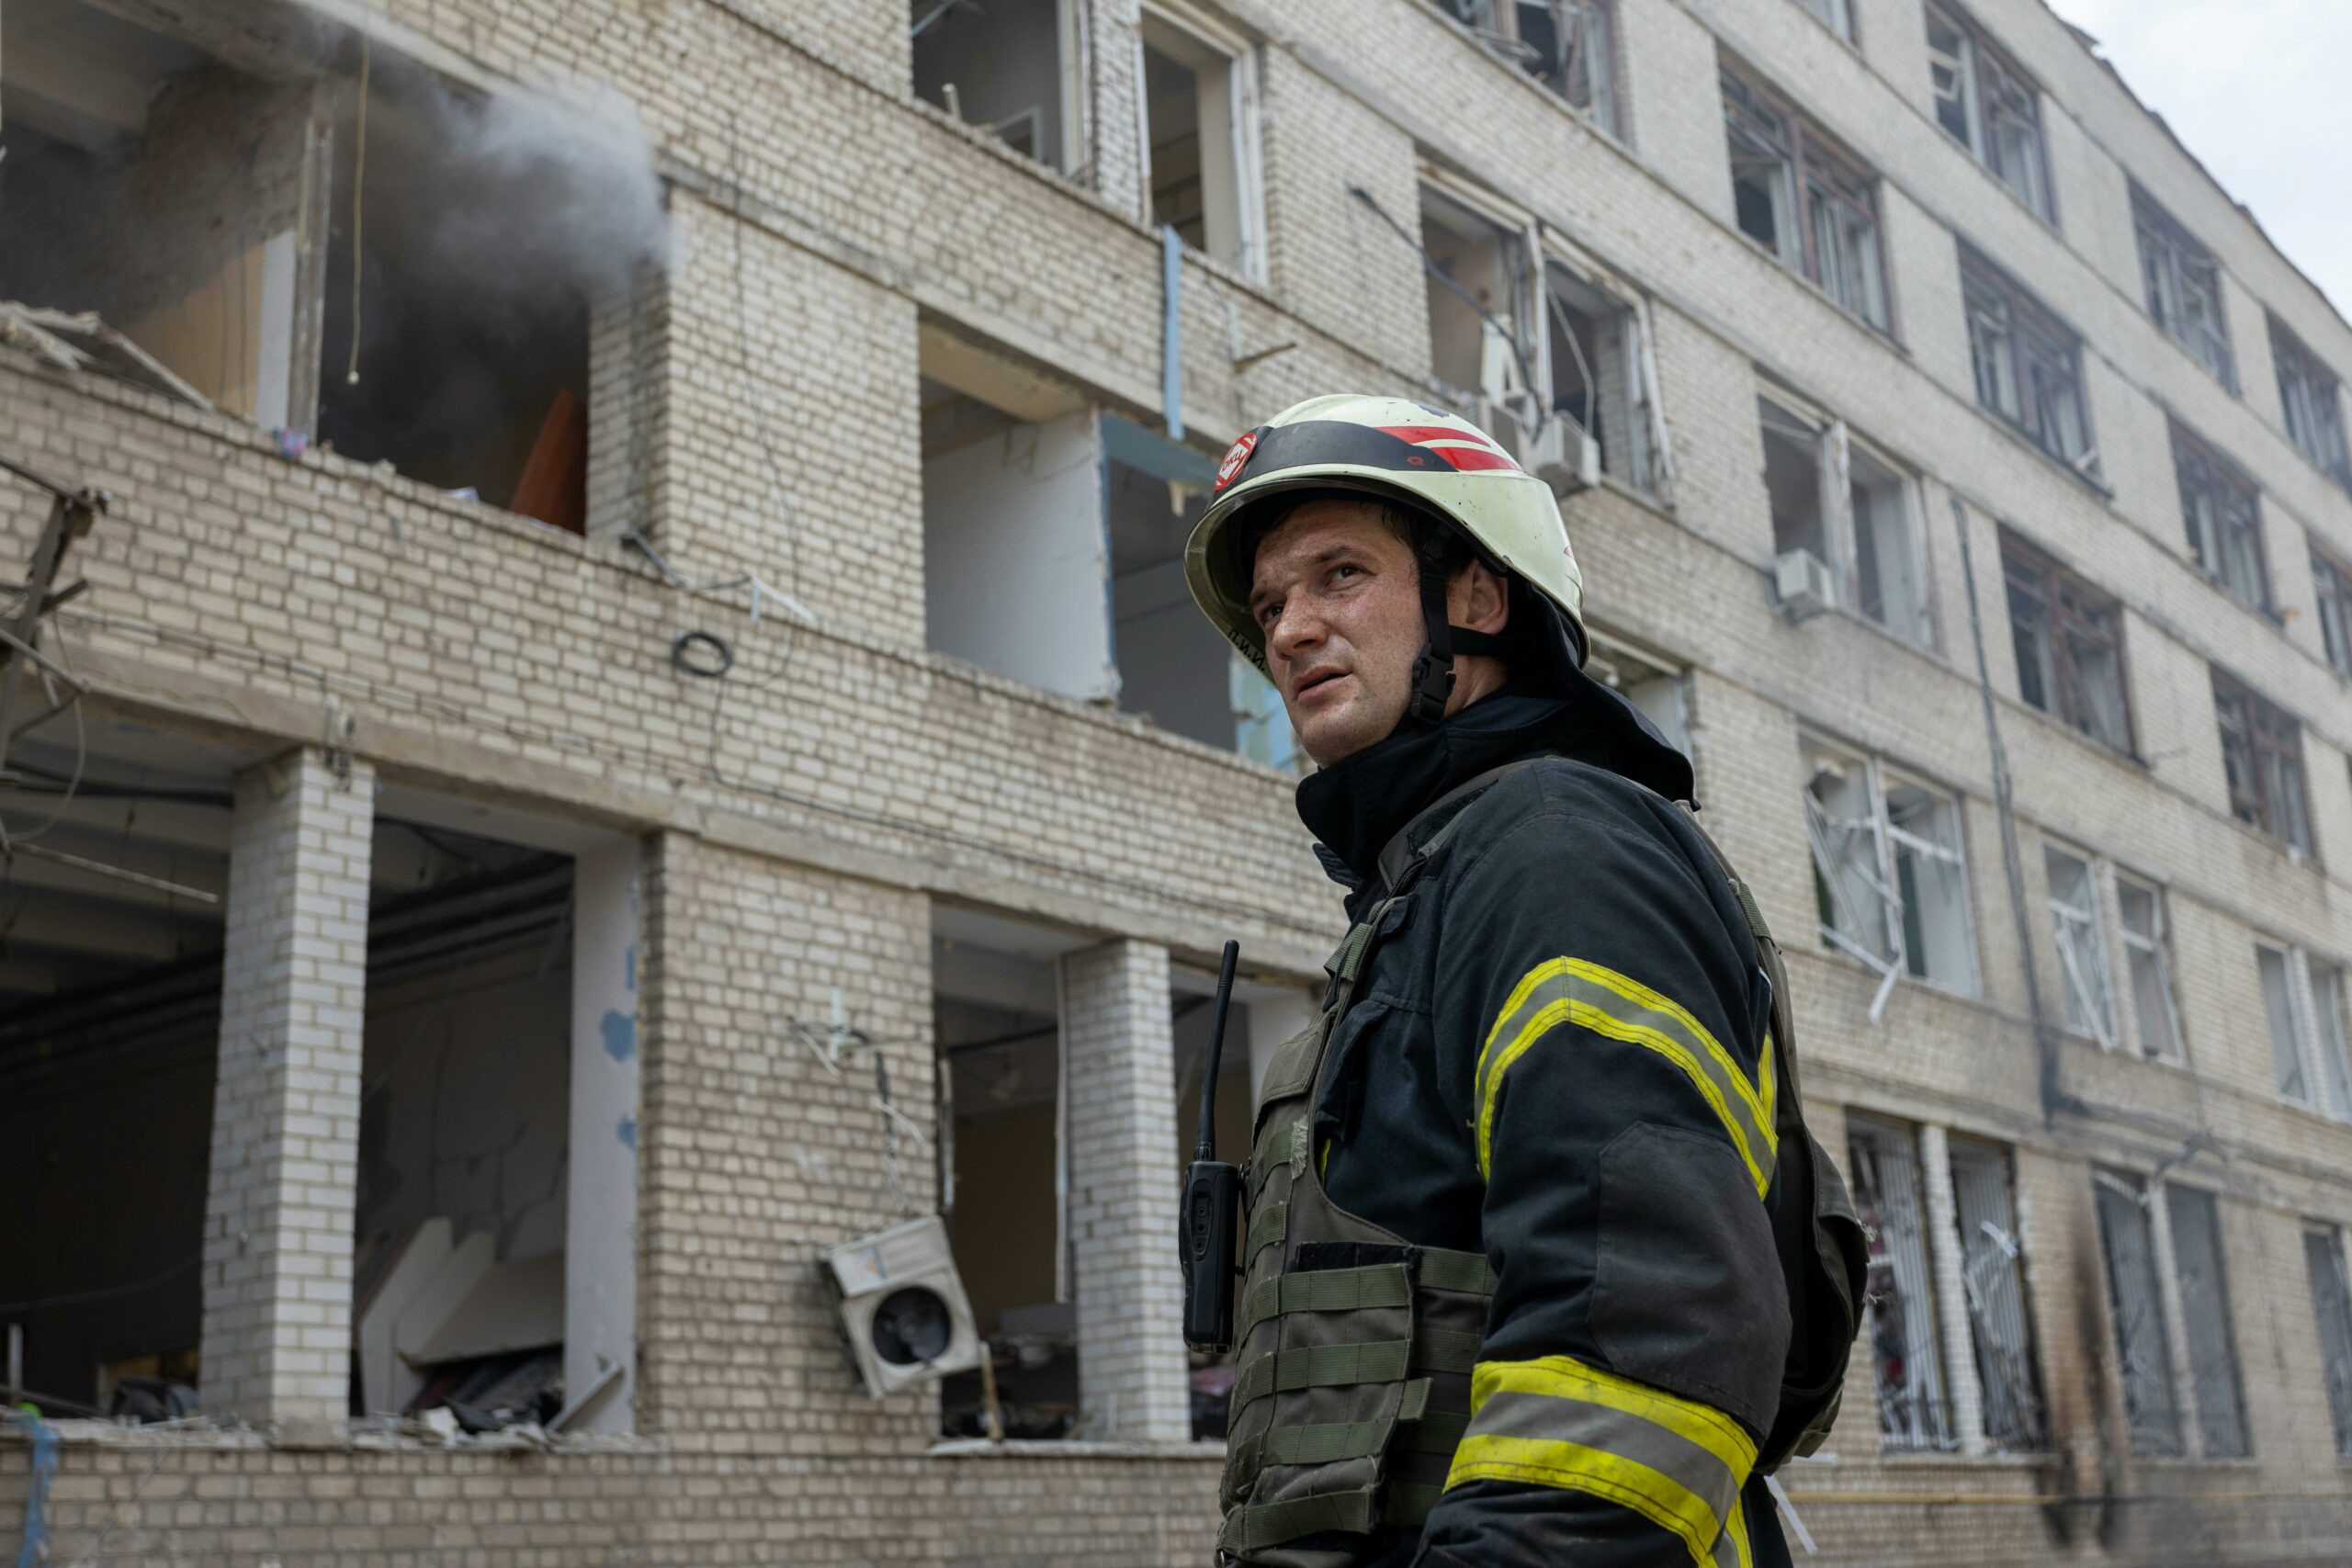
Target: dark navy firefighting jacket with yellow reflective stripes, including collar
x,y
1556,1057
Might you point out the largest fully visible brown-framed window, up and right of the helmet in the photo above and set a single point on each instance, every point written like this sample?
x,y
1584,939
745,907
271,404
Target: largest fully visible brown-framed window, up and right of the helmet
x,y
1805,201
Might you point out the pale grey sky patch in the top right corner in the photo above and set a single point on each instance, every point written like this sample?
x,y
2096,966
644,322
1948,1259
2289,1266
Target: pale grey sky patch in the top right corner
x,y
2259,93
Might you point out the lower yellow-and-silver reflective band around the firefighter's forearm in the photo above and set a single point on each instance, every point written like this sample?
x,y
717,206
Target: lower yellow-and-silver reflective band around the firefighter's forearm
x,y
1570,1426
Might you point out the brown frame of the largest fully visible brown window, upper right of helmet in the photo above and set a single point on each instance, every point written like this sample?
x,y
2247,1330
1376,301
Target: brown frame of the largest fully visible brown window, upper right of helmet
x,y
1817,177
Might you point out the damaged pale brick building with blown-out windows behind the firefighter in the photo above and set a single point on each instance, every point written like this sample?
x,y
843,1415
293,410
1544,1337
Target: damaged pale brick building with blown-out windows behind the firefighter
x,y
615,822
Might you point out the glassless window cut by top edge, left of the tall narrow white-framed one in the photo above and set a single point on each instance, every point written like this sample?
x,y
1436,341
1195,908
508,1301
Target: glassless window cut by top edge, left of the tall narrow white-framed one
x,y
1003,67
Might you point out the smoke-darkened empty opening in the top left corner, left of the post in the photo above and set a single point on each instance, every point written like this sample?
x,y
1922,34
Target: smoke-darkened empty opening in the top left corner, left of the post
x,y
168,196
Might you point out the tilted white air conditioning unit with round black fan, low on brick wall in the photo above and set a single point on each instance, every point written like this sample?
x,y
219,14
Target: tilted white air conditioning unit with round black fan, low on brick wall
x,y
904,1306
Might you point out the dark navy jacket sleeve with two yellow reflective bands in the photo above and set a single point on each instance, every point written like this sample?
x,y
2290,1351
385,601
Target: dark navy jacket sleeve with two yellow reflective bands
x,y
1610,1017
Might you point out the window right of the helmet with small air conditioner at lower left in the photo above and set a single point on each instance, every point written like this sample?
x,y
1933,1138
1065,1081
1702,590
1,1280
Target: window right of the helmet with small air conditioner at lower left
x,y
1862,535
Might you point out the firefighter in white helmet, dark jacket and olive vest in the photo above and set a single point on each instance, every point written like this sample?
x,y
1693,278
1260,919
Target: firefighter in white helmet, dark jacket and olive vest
x,y
1539,1264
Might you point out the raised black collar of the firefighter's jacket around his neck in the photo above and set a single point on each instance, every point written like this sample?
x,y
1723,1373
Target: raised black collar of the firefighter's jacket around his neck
x,y
1358,805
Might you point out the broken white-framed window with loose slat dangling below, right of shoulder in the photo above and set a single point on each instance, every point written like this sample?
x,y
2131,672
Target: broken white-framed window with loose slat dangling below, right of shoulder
x,y
1890,883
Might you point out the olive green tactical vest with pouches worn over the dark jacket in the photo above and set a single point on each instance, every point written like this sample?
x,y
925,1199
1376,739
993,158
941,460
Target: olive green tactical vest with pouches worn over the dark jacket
x,y
1354,1348
